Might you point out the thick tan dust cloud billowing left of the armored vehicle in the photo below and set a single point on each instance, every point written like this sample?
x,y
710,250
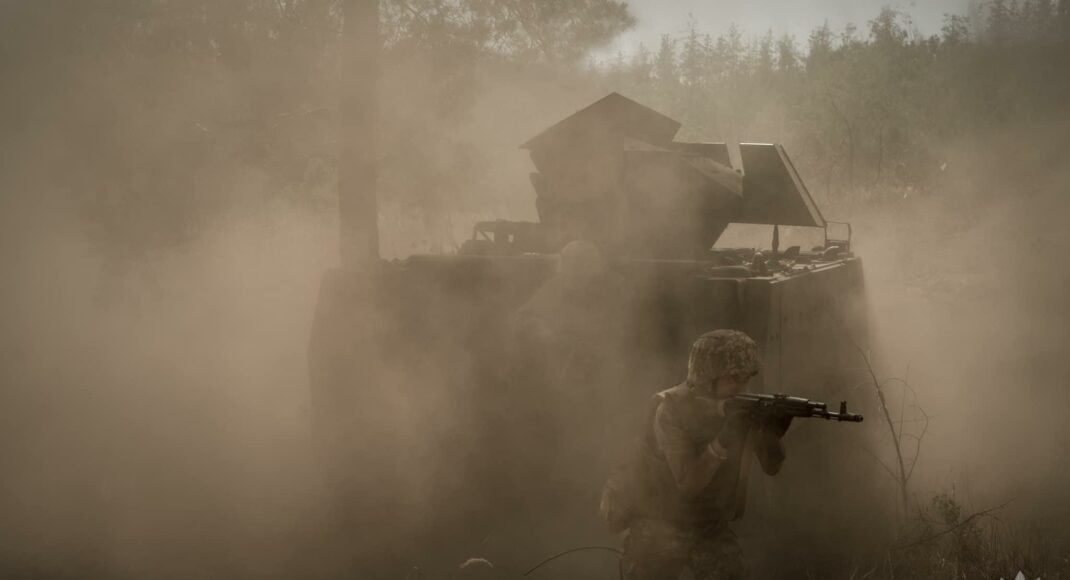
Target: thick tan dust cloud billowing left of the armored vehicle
x,y
156,424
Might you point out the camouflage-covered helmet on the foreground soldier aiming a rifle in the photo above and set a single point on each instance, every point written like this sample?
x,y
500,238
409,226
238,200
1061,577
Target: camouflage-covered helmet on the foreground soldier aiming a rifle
x,y
723,353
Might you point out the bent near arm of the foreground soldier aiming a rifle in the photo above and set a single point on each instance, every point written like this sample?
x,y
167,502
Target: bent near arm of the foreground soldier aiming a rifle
x,y
692,470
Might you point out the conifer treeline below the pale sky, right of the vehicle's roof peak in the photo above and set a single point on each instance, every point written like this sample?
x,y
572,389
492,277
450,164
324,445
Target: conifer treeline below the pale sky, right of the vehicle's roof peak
x,y
867,112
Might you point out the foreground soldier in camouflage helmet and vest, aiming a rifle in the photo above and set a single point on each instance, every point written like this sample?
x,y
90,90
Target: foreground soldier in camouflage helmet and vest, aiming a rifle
x,y
687,481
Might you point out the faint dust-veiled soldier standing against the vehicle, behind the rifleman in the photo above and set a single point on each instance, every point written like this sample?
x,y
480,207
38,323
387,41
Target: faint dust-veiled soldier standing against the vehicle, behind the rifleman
x,y
565,373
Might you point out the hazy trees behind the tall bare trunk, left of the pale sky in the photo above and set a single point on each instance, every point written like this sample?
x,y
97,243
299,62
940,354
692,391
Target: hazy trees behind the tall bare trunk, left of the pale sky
x,y
156,117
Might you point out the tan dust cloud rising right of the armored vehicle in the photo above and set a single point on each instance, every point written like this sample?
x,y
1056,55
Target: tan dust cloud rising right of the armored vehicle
x,y
970,307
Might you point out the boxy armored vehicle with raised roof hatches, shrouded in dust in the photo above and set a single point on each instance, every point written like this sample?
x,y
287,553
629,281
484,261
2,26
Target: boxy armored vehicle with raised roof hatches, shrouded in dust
x,y
448,388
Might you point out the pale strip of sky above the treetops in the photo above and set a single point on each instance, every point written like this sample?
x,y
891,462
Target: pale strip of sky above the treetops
x,y
755,18
